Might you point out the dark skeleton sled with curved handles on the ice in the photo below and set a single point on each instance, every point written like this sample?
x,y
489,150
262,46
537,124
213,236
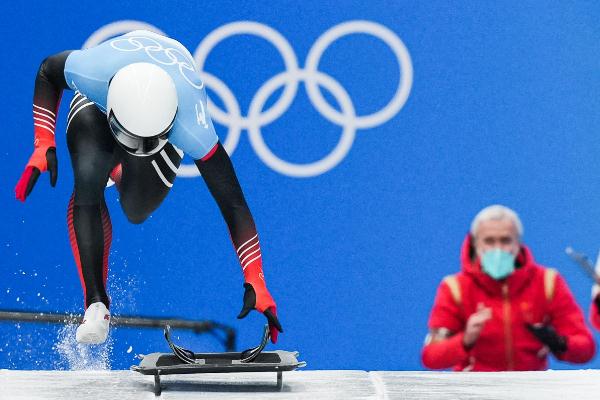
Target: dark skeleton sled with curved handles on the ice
x,y
183,361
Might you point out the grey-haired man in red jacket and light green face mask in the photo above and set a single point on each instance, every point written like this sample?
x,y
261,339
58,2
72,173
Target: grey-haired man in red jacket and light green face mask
x,y
503,311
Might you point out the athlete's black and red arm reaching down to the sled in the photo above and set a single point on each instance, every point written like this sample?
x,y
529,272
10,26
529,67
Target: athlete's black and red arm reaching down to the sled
x,y
218,173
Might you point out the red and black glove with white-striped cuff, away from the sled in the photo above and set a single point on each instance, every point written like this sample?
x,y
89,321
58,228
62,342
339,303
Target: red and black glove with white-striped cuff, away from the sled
x,y
43,157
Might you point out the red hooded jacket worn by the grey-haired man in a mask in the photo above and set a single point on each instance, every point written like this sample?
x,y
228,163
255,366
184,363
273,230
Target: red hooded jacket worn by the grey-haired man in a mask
x,y
505,343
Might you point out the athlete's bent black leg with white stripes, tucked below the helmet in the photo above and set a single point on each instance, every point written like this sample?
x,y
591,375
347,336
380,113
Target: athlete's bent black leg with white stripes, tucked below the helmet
x,y
146,181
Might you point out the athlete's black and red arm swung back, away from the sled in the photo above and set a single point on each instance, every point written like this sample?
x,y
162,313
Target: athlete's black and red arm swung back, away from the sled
x,y
49,84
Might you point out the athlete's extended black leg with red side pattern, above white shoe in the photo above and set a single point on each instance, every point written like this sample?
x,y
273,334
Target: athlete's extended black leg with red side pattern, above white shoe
x,y
92,150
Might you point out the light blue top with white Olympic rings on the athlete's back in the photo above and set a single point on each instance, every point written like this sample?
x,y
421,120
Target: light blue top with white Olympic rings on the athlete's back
x,y
89,72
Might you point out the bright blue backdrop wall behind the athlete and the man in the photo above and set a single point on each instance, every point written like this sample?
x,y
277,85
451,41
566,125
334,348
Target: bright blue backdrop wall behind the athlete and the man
x,y
428,113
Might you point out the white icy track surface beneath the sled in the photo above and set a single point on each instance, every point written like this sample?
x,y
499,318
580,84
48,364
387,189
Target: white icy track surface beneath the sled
x,y
311,385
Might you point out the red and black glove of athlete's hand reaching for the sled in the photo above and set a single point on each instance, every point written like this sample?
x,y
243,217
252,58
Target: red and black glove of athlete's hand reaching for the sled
x,y
258,297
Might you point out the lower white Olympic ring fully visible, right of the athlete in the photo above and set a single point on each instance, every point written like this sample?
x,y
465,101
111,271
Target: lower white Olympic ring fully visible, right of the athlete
x,y
310,169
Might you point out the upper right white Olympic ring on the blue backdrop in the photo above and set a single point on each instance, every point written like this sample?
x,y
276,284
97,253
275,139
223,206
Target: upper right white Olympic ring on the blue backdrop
x,y
404,69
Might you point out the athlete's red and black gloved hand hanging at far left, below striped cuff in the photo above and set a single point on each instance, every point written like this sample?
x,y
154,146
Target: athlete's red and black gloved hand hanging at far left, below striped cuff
x,y
42,159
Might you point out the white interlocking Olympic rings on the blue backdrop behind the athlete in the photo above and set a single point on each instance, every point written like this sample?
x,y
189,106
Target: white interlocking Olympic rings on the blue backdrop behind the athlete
x,y
289,79
